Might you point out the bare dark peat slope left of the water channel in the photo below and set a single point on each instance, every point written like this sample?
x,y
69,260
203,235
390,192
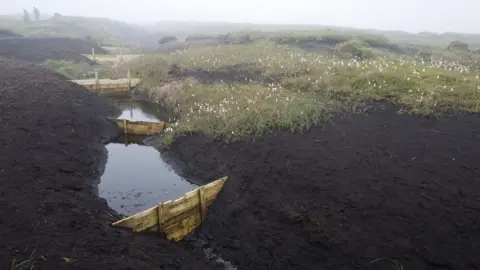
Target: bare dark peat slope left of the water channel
x,y
51,152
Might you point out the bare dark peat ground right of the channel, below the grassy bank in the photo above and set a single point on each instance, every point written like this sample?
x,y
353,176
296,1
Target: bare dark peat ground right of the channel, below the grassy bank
x,y
346,195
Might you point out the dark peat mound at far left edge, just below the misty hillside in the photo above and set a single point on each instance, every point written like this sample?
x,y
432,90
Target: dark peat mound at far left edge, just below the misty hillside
x,y
39,49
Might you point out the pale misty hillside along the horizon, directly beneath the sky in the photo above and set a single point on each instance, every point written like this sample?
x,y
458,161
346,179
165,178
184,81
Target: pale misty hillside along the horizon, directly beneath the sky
x,y
112,32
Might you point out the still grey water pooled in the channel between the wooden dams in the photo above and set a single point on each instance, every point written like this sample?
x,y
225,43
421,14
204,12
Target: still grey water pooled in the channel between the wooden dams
x,y
136,177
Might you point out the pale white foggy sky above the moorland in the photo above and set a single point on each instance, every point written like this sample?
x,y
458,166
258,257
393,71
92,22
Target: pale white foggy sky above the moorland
x,y
408,15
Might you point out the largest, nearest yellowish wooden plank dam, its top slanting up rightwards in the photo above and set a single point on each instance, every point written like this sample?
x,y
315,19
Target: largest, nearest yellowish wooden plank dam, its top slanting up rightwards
x,y
176,218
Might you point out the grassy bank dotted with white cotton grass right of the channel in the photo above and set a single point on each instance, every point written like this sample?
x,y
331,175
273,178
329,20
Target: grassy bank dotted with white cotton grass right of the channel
x,y
308,88
